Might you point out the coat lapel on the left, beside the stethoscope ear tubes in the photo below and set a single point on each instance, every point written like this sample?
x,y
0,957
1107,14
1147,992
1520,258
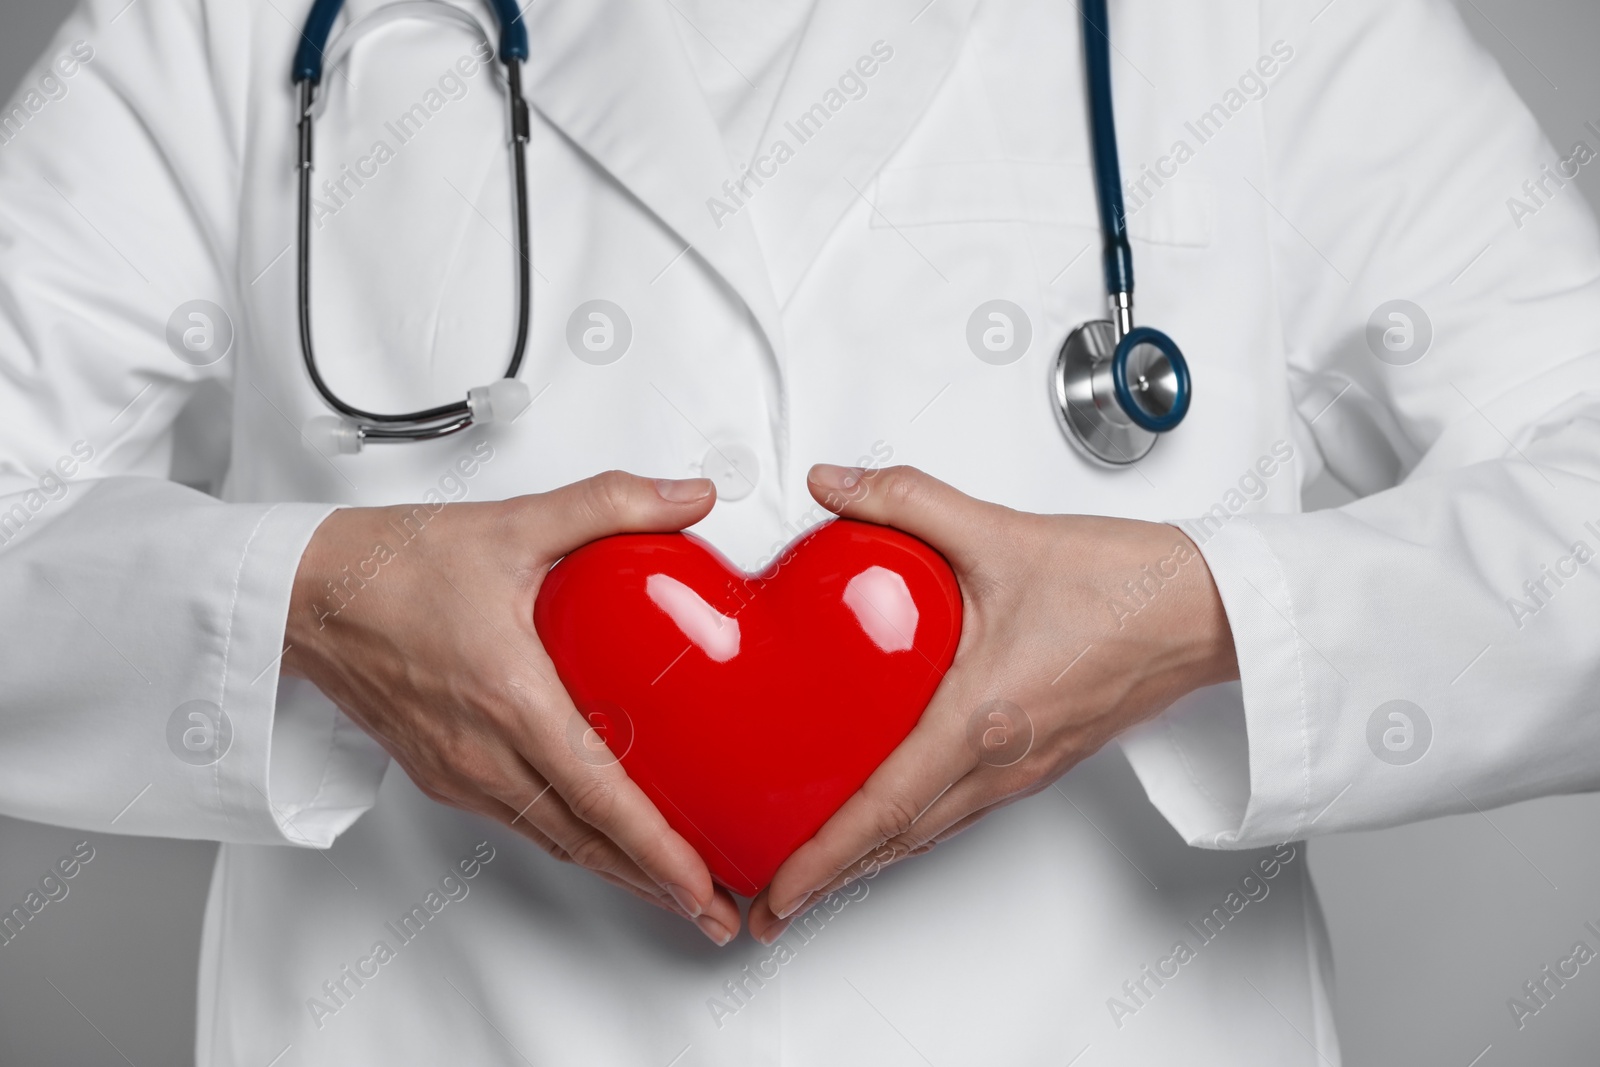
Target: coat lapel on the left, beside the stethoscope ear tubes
x,y
612,76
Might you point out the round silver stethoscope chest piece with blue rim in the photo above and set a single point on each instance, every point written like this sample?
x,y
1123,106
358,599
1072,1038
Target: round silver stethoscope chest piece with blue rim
x,y
1114,398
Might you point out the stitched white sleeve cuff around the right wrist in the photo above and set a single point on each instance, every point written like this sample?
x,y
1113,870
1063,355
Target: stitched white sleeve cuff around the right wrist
x,y
1230,765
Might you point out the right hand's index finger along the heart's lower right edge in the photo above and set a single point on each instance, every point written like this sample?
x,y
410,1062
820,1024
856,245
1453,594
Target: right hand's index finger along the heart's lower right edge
x,y
889,805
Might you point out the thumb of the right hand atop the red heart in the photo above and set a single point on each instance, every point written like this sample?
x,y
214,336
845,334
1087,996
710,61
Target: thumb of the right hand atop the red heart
x,y
903,498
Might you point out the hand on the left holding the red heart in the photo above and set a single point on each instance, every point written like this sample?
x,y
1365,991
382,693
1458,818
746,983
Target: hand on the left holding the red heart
x,y
418,623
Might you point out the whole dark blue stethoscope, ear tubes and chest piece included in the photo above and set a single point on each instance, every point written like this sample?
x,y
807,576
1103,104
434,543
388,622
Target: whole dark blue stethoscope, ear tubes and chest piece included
x,y
1114,386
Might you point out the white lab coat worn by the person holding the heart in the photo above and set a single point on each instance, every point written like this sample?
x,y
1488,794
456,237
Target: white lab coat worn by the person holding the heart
x,y
823,321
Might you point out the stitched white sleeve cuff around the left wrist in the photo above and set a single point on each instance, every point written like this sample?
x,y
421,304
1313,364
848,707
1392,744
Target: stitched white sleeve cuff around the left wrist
x,y
302,773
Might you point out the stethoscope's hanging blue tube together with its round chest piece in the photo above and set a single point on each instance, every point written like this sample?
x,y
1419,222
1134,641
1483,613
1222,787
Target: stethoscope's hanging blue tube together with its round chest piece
x,y
1116,385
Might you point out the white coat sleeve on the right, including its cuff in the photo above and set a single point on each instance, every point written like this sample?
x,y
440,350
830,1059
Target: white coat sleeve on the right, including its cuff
x,y
1430,647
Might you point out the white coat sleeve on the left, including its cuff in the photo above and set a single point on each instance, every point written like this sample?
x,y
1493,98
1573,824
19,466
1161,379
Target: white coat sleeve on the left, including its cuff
x,y
124,596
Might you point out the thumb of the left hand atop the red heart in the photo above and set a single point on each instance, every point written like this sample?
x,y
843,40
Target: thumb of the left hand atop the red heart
x,y
622,503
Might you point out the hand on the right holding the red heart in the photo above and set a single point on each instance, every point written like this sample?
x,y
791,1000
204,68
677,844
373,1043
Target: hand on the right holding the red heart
x,y
1074,629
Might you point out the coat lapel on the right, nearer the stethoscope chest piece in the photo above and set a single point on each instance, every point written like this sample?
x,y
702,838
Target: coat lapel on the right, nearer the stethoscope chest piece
x,y
834,166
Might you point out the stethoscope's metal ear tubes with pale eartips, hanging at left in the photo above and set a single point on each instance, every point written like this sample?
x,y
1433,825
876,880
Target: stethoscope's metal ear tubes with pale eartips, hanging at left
x,y
486,404
